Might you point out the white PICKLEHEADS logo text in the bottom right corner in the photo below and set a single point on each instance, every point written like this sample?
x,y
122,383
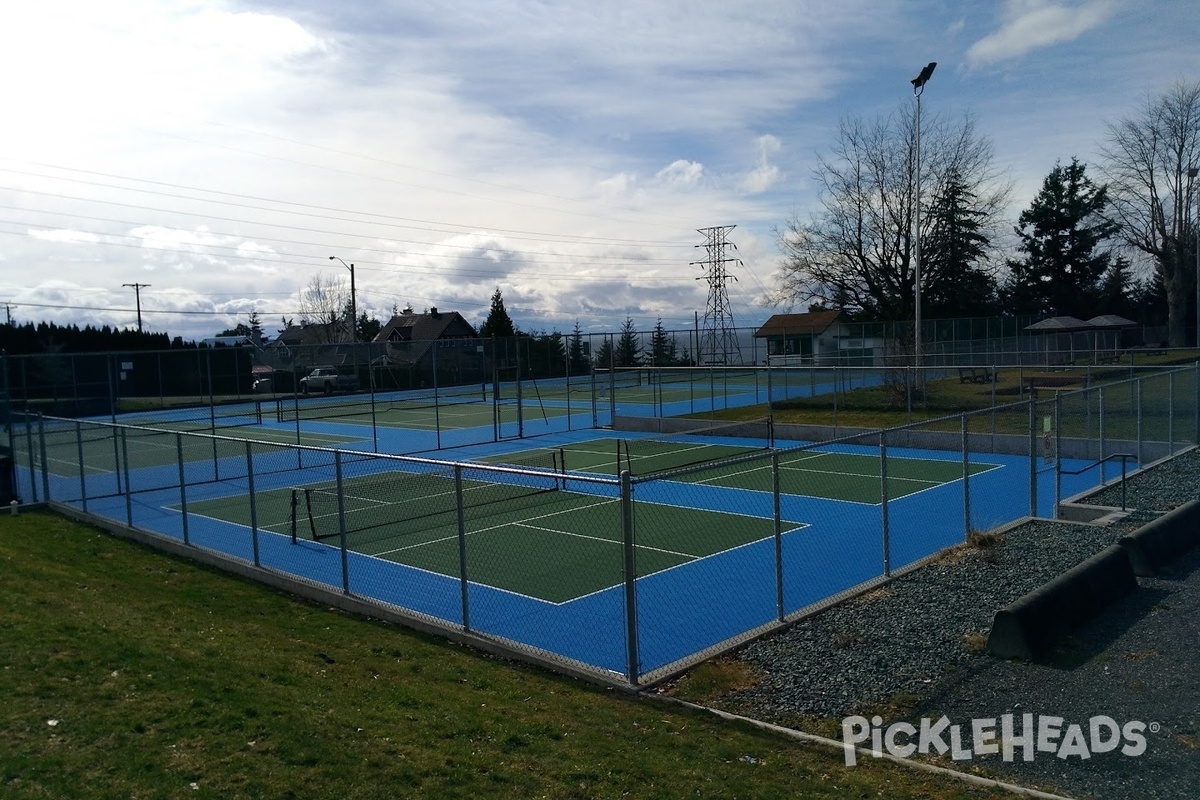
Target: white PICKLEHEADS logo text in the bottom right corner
x,y
1005,737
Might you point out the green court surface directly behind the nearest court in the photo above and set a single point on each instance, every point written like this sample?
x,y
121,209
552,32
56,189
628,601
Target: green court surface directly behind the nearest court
x,y
811,473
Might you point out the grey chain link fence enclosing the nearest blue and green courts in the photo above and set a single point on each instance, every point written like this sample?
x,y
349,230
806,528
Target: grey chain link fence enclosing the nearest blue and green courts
x,y
627,576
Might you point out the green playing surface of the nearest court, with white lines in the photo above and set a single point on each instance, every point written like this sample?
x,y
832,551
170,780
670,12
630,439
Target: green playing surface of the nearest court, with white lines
x,y
549,544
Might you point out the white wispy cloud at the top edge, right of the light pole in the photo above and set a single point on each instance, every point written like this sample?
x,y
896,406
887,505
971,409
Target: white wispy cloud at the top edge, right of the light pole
x,y
1035,25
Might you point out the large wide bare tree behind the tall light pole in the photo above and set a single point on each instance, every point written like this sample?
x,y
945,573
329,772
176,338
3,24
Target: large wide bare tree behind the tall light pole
x,y
856,250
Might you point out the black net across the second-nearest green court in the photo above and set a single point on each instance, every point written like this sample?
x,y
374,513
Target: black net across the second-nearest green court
x,y
671,452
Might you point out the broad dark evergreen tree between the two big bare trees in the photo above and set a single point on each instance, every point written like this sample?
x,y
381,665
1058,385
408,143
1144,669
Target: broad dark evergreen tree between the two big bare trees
x,y
1063,272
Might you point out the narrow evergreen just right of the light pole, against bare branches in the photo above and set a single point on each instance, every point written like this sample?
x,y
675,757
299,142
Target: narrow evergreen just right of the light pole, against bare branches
x,y
953,282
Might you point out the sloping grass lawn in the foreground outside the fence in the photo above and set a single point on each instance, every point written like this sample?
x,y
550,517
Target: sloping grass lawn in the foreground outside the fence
x,y
133,675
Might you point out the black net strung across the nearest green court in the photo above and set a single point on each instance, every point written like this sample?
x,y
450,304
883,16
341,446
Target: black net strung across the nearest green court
x,y
394,501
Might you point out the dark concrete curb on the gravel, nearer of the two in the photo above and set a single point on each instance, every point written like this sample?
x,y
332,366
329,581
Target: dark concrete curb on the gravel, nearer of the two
x,y
1030,627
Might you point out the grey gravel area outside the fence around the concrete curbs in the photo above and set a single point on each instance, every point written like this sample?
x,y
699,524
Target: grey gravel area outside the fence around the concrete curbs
x,y
917,648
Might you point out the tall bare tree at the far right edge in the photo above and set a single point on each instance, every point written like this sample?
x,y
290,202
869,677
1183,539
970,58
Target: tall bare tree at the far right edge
x,y
1149,161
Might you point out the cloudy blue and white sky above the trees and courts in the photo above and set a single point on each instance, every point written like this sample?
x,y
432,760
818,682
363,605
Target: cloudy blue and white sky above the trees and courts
x,y
566,152
